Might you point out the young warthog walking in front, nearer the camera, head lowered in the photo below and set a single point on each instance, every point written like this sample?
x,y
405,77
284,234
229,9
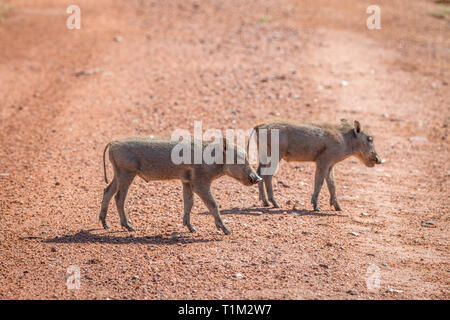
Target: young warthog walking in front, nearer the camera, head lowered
x,y
151,159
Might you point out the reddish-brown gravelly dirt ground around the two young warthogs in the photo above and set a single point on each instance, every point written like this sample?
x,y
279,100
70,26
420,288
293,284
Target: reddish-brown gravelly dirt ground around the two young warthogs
x,y
161,65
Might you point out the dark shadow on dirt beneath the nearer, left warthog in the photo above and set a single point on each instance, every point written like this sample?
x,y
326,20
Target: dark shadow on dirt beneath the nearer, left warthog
x,y
86,236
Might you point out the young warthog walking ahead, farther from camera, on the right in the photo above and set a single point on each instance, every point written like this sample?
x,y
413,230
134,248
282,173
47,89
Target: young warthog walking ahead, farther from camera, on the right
x,y
325,144
